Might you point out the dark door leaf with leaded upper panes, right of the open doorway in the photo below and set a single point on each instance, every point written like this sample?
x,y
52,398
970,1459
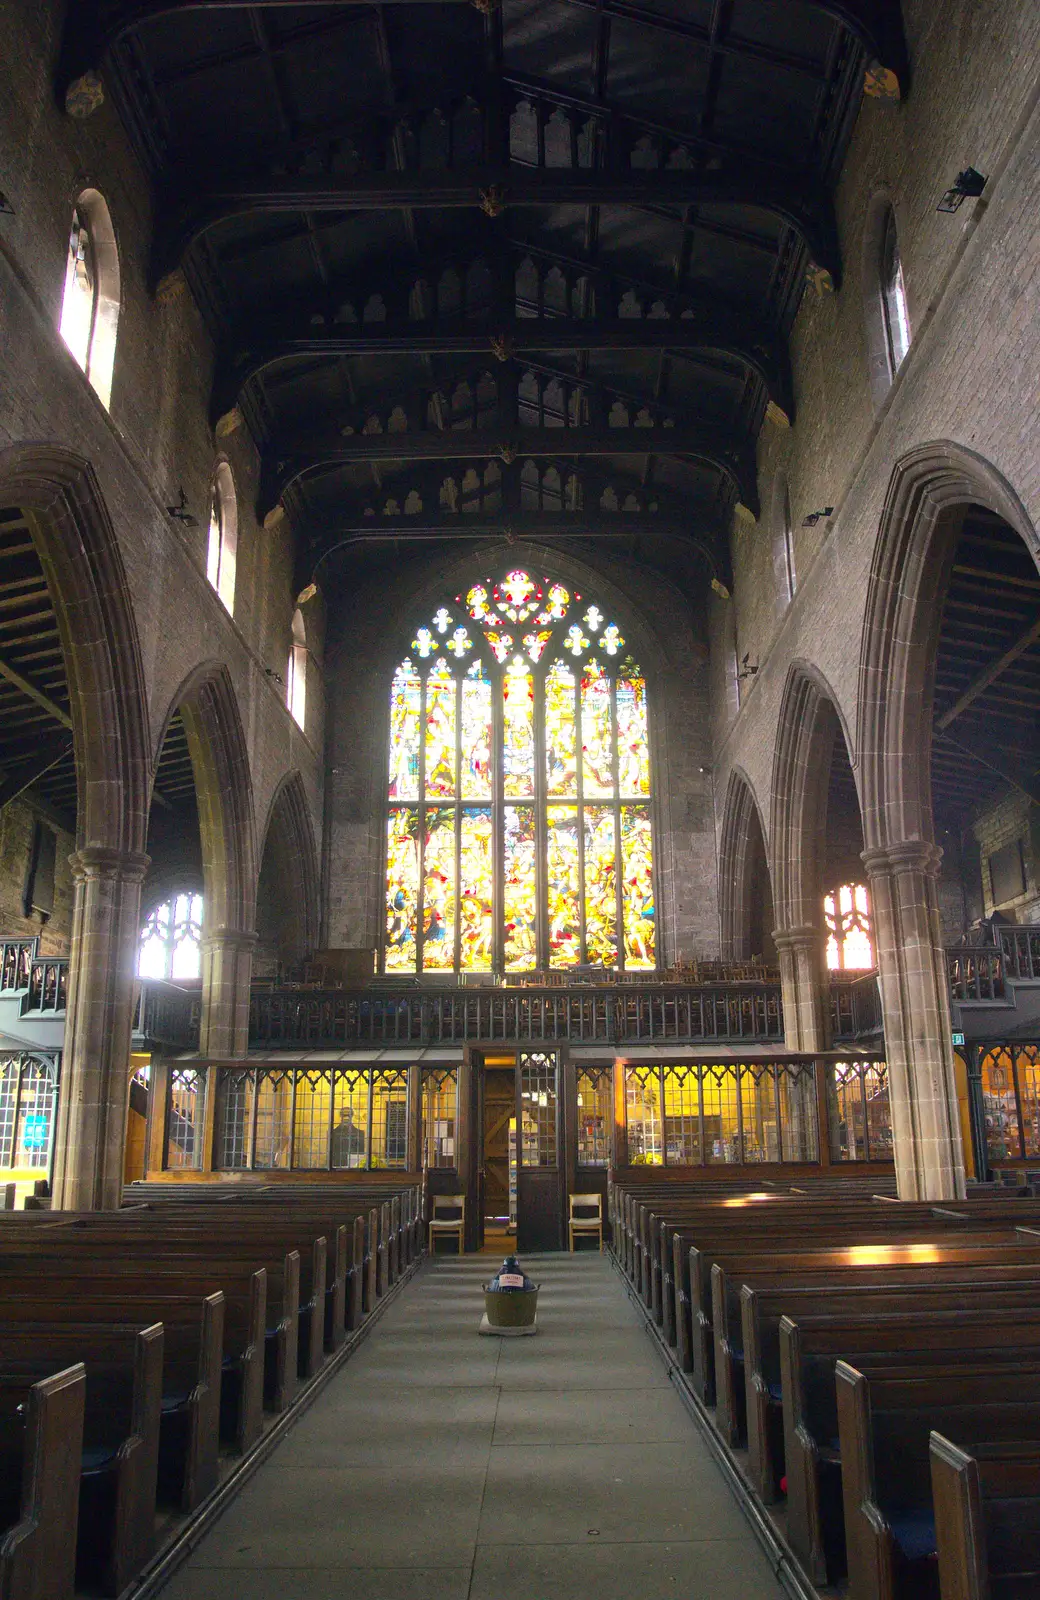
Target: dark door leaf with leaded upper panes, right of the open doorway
x,y
540,1138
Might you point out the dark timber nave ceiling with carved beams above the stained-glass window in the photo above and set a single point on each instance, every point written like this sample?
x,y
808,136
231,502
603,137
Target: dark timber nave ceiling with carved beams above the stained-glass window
x,y
476,266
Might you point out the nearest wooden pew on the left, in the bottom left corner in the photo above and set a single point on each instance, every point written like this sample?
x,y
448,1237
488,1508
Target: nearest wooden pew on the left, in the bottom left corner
x,y
41,1455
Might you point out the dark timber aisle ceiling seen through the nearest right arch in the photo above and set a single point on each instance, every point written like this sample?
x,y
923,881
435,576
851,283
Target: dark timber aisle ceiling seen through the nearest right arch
x,y
986,719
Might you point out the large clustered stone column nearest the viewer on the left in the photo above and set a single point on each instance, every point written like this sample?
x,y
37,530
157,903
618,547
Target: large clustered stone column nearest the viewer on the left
x,y
95,1074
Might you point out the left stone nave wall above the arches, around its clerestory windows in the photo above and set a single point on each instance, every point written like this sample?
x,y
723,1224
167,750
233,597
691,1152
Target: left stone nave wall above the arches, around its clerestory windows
x,y
156,441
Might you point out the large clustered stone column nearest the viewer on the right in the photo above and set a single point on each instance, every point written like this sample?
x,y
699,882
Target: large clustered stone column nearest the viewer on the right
x,y
918,1020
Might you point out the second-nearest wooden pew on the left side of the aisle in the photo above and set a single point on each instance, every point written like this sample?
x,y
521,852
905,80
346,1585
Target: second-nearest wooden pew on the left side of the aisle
x,y
121,1438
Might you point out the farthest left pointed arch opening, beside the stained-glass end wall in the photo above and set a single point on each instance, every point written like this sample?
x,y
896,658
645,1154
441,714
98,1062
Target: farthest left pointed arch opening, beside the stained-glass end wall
x,y
289,866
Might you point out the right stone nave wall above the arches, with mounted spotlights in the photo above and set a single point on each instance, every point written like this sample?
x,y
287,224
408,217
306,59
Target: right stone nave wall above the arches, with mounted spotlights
x,y
969,378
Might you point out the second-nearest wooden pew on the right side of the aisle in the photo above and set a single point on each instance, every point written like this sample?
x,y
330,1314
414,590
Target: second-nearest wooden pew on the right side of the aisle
x,y
884,1433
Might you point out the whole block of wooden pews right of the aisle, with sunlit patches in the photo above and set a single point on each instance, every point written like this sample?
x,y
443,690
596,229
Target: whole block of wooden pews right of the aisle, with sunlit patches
x,y
870,1367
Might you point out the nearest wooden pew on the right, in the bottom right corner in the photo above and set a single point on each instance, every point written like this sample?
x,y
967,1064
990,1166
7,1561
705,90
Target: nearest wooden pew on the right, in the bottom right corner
x,y
988,1519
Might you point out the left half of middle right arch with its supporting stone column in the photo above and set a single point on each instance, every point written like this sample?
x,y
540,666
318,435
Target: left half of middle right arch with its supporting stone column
x,y
807,737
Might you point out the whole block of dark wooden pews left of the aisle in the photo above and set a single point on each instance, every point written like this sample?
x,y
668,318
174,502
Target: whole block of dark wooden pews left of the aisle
x,y
143,1351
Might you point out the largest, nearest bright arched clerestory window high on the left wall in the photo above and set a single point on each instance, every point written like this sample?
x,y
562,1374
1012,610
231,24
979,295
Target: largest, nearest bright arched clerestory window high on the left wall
x,y
92,294
